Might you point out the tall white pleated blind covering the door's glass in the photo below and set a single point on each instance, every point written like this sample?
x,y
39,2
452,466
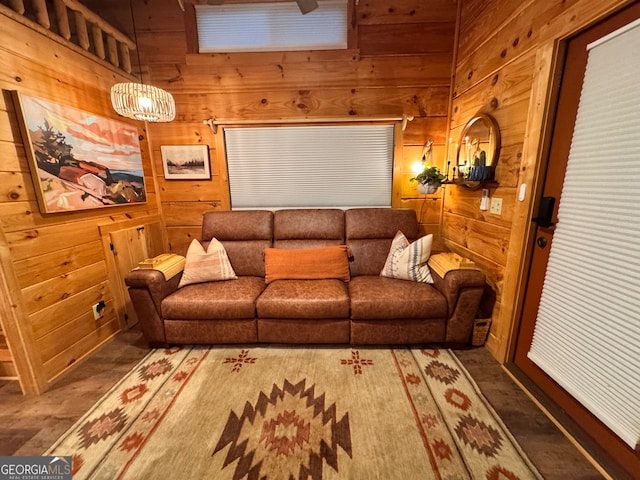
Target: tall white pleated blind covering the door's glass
x,y
587,334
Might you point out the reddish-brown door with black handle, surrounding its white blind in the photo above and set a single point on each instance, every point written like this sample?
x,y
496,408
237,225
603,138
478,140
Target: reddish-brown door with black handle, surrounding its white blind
x,y
546,224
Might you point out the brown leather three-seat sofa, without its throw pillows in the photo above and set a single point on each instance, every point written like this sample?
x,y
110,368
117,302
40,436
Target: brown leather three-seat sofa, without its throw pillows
x,y
368,309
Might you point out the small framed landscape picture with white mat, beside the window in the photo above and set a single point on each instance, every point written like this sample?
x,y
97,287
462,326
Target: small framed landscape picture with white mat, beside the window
x,y
185,162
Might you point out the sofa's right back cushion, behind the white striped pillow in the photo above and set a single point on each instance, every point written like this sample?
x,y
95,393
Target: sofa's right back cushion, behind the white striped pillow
x,y
370,231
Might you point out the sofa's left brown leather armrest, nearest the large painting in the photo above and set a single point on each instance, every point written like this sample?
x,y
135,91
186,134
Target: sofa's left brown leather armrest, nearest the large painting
x,y
147,289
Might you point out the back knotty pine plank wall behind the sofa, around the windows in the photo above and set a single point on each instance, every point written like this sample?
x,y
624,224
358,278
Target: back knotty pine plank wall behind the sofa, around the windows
x,y
402,65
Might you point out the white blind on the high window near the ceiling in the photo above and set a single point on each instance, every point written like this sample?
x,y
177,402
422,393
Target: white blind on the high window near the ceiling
x,y
278,26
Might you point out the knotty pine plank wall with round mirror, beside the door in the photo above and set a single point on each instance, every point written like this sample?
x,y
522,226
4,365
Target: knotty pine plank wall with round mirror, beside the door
x,y
503,69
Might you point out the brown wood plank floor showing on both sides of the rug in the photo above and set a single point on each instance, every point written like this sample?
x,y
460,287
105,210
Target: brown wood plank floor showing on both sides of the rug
x,y
30,424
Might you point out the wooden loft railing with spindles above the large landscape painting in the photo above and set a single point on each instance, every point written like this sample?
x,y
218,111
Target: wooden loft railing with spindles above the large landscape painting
x,y
75,23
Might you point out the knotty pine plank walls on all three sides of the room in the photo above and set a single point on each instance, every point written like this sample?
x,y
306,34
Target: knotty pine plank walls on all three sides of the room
x,y
53,267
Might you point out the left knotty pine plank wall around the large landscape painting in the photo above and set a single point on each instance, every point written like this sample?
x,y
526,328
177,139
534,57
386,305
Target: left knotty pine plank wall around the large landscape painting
x,y
54,266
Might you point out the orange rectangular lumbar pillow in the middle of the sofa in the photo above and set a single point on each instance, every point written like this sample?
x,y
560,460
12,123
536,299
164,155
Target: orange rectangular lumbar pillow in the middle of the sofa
x,y
306,263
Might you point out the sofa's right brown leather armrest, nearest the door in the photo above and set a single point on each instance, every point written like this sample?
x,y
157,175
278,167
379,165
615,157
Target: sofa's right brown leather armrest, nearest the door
x,y
463,290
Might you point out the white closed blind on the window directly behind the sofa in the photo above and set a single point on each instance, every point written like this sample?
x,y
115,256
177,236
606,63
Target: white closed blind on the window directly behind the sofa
x,y
310,166
